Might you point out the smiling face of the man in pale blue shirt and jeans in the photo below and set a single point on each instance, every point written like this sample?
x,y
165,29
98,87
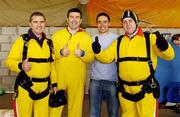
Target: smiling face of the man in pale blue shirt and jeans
x,y
102,24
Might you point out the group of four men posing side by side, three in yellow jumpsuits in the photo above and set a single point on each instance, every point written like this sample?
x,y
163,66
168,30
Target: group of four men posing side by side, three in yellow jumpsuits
x,y
61,64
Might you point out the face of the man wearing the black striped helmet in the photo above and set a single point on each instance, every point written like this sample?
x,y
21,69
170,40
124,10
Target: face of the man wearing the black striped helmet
x,y
129,25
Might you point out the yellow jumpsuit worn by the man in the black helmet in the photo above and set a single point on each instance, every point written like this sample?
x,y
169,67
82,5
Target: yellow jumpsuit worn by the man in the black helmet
x,y
136,71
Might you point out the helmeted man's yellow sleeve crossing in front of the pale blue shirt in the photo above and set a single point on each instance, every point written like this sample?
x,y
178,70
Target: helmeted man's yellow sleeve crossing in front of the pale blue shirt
x,y
108,55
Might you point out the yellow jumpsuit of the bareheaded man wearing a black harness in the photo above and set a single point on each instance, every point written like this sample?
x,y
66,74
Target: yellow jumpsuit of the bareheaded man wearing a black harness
x,y
24,105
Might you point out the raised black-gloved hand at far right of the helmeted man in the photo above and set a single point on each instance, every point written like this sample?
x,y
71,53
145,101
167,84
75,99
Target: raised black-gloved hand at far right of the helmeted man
x,y
161,42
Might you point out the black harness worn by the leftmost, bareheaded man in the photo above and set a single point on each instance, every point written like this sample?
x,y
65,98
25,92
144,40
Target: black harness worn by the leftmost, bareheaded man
x,y
24,80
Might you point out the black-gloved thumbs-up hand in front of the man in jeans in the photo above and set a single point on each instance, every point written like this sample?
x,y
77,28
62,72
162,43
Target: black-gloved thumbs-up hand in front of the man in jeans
x,y
96,46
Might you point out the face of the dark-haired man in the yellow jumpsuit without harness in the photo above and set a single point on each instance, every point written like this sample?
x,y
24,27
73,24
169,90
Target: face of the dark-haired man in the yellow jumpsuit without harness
x,y
74,20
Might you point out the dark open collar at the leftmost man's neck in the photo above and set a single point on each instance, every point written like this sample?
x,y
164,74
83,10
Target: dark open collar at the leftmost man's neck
x,y
33,36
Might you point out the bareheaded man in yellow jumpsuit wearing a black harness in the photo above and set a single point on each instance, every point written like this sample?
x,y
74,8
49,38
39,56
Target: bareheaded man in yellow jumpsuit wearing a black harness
x,y
36,70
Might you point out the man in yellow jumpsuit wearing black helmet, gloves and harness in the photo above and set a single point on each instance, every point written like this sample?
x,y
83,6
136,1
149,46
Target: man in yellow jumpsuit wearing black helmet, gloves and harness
x,y
137,85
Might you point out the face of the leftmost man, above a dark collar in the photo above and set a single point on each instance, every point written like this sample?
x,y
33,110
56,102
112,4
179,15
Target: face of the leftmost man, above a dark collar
x,y
37,25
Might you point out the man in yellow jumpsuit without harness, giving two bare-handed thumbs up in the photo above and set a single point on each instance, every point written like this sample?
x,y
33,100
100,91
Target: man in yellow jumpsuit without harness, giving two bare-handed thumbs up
x,y
72,47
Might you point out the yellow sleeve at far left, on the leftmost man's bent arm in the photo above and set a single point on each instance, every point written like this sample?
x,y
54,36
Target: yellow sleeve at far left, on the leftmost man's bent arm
x,y
15,55
